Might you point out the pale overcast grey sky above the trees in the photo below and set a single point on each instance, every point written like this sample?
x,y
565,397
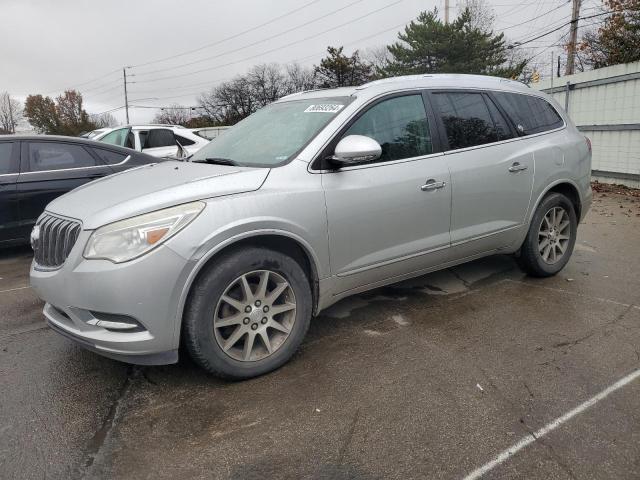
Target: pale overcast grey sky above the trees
x,y
47,46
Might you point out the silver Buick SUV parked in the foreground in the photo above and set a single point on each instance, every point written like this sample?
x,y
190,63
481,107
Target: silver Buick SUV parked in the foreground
x,y
316,197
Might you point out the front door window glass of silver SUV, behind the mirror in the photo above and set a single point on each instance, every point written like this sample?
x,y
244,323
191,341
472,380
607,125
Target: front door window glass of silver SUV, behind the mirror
x,y
399,125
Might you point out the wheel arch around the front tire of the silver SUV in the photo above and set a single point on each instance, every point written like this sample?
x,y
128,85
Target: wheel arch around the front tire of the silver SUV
x,y
281,241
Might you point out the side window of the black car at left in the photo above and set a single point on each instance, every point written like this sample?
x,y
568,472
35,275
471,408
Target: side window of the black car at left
x,y
44,156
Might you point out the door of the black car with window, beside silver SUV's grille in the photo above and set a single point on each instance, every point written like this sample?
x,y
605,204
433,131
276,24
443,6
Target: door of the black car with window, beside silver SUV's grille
x,y
50,169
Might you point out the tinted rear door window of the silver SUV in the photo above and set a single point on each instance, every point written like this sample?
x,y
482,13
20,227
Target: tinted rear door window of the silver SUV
x,y
467,119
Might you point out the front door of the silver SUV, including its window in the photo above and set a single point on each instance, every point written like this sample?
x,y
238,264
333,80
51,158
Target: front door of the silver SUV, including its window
x,y
389,218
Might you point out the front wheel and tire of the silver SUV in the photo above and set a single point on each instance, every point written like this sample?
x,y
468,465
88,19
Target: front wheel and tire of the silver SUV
x,y
224,327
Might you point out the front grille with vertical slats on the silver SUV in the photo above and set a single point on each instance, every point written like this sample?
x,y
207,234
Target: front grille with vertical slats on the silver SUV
x,y
53,240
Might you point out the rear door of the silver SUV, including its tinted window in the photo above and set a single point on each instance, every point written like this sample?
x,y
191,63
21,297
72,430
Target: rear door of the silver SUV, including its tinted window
x,y
491,172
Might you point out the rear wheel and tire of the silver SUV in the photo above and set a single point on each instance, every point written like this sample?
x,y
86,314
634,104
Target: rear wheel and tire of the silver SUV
x,y
544,260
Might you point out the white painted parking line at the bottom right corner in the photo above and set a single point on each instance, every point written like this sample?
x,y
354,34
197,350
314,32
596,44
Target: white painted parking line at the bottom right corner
x,y
549,427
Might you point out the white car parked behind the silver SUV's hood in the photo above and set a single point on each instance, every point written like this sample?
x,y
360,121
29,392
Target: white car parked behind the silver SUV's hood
x,y
156,140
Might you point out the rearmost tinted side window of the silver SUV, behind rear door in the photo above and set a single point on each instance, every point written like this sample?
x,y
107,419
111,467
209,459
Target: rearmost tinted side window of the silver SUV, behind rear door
x,y
534,114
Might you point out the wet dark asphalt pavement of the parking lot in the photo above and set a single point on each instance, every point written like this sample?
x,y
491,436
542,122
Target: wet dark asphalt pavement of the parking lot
x,y
476,371
